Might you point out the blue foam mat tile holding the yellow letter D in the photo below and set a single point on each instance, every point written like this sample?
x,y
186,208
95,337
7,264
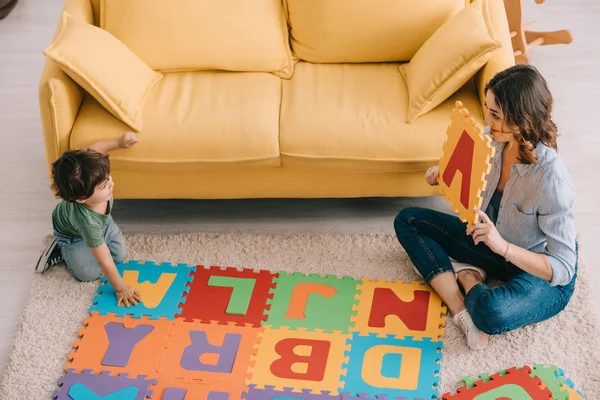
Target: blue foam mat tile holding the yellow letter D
x,y
389,370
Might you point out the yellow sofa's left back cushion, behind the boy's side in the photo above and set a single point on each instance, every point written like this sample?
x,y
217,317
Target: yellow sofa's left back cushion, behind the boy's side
x,y
231,35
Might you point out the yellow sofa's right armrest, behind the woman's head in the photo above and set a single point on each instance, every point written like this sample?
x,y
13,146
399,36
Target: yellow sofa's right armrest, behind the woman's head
x,y
503,57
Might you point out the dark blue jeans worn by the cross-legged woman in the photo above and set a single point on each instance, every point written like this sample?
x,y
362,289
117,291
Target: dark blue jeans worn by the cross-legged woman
x,y
431,237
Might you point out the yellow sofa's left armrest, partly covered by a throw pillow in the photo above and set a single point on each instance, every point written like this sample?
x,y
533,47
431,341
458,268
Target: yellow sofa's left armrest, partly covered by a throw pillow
x,y
59,96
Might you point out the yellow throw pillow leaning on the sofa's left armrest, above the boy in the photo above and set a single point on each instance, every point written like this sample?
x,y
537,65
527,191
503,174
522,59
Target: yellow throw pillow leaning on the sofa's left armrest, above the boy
x,y
104,67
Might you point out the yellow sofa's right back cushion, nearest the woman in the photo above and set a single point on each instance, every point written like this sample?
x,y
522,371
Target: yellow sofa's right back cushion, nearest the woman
x,y
337,31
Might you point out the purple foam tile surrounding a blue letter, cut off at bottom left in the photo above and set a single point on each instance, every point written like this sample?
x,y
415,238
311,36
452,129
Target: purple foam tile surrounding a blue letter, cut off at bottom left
x,y
103,384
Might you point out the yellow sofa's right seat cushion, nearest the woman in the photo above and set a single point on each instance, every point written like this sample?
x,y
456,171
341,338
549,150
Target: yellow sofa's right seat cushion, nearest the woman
x,y
353,117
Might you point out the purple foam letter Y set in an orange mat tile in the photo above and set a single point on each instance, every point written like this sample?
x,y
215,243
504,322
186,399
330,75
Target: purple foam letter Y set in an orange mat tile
x,y
122,341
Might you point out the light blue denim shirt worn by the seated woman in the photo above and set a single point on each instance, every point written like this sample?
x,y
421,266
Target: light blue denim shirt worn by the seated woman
x,y
536,211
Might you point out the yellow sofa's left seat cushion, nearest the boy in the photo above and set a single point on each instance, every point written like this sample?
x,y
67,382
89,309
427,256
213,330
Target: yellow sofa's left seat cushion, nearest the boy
x,y
210,120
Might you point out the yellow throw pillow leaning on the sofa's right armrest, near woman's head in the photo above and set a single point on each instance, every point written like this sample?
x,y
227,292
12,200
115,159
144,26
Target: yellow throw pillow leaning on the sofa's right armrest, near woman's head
x,y
449,58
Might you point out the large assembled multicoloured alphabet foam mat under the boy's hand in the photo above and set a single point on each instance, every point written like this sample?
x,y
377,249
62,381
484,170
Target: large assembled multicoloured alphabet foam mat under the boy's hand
x,y
226,334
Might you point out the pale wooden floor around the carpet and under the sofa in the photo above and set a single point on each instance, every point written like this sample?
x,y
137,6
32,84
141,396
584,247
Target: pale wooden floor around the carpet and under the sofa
x,y
26,202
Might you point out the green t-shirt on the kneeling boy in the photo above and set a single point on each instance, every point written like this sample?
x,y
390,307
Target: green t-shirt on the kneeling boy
x,y
78,220
